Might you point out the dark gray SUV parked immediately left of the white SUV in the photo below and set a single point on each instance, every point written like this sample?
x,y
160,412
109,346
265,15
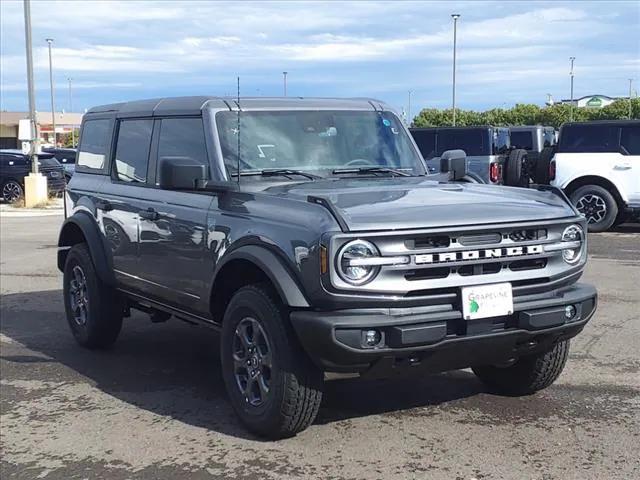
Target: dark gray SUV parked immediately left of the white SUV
x,y
538,141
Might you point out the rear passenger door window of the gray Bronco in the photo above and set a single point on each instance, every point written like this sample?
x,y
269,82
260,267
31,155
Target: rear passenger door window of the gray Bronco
x,y
132,150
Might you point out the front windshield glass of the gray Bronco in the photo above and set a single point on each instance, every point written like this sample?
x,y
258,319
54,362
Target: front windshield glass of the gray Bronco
x,y
317,141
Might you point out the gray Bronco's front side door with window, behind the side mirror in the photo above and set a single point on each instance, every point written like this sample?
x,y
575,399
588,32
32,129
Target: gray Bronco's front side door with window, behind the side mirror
x,y
173,227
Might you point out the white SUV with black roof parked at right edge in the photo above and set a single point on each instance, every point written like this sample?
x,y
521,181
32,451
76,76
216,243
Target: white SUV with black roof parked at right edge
x,y
597,164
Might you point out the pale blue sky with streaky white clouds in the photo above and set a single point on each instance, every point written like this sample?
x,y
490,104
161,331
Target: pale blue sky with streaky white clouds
x,y
508,52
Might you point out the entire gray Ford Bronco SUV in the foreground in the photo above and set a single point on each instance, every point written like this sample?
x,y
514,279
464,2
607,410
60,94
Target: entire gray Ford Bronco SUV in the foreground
x,y
308,232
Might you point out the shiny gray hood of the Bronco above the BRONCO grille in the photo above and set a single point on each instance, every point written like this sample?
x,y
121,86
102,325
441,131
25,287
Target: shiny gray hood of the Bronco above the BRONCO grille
x,y
367,204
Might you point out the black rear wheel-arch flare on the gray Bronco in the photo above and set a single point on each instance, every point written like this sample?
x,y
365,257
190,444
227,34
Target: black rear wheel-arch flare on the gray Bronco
x,y
81,227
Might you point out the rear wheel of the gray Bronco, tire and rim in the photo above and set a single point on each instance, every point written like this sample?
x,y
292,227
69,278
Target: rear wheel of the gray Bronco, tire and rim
x,y
94,310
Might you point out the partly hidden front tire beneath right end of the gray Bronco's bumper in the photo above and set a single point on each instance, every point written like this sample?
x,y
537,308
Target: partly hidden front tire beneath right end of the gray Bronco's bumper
x,y
528,375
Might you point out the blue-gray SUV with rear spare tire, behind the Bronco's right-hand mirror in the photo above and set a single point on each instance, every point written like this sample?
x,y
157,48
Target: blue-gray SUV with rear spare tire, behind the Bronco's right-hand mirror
x,y
490,156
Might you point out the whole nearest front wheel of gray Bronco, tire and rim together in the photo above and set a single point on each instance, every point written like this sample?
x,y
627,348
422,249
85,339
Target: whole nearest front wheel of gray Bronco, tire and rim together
x,y
272,384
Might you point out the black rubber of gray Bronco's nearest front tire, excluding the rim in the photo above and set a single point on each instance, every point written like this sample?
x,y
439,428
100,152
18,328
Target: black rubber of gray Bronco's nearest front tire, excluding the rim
x,y
295,389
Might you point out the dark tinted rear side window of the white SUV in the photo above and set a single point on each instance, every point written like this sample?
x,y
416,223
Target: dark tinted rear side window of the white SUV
x,y
589,138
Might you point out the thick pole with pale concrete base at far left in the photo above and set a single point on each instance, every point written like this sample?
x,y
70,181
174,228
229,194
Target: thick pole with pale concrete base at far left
x,y
35,184
